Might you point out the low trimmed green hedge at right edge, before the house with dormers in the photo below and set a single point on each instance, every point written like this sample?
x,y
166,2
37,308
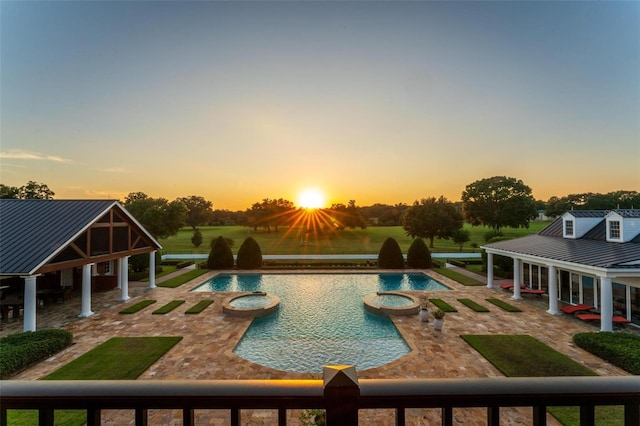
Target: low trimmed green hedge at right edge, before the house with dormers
x,y
620,349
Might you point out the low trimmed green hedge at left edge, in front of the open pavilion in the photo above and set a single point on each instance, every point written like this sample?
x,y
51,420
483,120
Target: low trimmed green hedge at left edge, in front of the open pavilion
x,y
19,351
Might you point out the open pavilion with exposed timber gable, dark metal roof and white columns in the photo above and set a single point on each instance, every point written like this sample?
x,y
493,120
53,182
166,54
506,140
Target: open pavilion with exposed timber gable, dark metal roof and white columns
x,y
49,248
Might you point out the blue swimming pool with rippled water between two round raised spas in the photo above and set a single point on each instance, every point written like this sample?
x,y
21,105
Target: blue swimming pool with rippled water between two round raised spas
x,y
321,320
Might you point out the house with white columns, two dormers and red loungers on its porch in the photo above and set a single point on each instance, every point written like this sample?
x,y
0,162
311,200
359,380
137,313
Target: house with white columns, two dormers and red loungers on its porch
x,y
583,257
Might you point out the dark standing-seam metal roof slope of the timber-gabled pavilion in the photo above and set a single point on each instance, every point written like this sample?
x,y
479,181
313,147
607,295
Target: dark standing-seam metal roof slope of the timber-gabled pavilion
x,y
31,230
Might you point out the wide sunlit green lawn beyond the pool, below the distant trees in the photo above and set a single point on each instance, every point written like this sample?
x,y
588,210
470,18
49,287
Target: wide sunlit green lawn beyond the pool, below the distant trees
x,y
354,241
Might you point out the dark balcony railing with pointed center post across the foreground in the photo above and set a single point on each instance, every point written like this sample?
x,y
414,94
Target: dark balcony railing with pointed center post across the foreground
x,y
341,394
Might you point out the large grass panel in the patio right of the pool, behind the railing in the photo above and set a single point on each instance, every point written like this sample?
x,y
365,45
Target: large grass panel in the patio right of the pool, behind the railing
x,y
525,356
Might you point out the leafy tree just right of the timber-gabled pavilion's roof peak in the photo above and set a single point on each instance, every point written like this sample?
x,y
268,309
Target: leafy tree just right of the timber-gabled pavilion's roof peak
x,y
160,217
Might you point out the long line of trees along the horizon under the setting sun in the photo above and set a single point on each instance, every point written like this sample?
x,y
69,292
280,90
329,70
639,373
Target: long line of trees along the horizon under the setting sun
x,y
496,202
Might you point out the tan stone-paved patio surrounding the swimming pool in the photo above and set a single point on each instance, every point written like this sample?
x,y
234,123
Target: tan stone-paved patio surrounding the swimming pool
x,y
206,351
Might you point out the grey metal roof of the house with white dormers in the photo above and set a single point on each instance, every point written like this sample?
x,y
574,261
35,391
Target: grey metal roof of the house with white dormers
x,y
592,249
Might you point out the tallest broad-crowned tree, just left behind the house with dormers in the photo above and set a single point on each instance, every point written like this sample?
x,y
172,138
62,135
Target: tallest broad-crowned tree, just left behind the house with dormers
x,y
498,201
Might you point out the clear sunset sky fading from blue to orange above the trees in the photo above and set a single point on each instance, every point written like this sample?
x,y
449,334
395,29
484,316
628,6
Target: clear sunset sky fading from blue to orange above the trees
x,y
373,101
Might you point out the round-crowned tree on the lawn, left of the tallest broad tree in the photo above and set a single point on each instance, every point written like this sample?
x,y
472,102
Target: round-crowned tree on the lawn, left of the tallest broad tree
x,y
432,218
